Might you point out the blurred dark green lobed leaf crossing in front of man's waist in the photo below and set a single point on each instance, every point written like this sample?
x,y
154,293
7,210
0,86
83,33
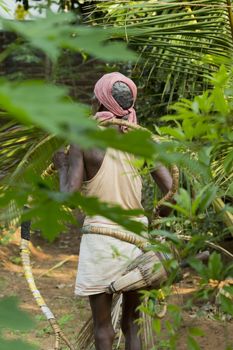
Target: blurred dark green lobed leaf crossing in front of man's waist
x,y
49,209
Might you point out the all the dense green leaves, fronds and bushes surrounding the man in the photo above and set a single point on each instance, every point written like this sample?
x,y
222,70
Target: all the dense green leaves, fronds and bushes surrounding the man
x,y
179,57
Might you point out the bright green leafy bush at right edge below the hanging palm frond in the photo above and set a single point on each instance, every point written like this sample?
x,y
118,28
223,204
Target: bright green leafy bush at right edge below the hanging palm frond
x,y
204,126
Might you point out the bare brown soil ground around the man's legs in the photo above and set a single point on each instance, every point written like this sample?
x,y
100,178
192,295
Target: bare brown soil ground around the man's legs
x,y
57,287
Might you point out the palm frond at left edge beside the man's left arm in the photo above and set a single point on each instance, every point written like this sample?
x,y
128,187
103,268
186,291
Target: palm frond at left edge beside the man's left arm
x,y
22,146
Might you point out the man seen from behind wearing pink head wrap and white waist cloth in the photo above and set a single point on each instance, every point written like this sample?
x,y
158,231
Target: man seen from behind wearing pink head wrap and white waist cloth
x,y
112,177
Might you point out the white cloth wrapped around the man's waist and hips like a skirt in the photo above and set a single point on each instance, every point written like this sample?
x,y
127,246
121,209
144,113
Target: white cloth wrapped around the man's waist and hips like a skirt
x,y
102,259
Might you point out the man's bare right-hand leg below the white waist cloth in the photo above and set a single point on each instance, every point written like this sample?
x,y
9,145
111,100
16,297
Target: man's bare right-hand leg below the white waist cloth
x,y
130,329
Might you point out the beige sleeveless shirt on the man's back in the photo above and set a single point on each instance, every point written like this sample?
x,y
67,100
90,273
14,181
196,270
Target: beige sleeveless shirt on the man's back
x,y
116,182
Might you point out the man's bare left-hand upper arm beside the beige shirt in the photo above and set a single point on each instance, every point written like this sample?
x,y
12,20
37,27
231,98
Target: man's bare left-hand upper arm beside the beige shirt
x,y
70,168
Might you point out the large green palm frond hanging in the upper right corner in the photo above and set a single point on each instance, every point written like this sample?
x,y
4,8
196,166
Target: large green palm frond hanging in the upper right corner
x,y
173,38
